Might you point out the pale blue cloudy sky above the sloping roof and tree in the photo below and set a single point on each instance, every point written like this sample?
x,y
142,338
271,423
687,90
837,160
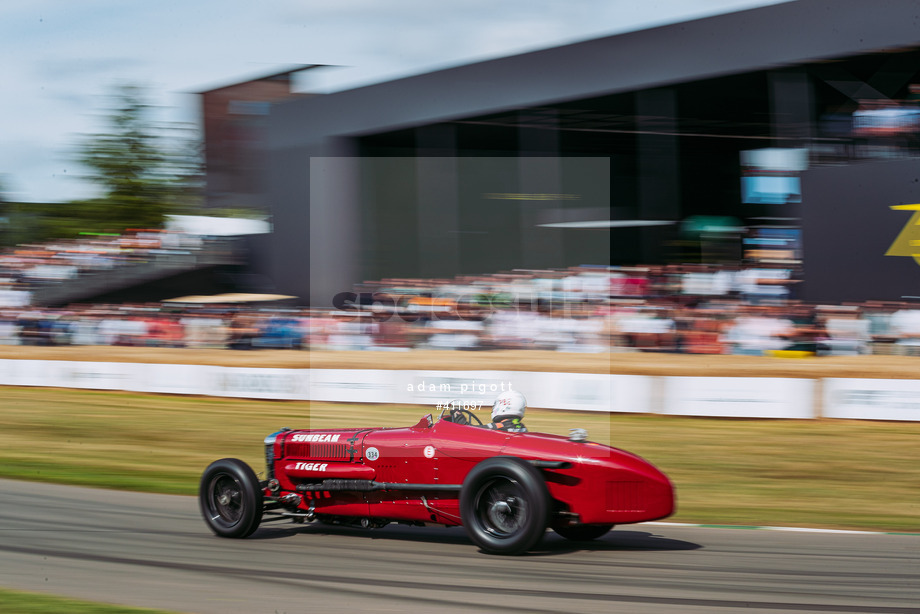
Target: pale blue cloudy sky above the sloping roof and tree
x,y
60,60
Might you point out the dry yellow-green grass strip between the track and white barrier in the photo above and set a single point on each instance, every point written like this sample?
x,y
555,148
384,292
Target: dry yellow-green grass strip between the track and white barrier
x,y
820,473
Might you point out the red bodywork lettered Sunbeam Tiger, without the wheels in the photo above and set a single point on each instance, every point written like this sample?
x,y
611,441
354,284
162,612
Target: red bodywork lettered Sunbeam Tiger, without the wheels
x,y
589,483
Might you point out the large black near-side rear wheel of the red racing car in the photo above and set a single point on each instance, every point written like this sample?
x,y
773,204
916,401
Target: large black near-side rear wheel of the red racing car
x,y
504,505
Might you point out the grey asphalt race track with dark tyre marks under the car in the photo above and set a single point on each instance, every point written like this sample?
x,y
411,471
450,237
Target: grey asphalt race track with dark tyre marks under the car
x,y
155,551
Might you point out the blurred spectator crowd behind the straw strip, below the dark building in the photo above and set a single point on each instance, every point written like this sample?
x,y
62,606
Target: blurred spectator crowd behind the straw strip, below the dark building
x,y
697,309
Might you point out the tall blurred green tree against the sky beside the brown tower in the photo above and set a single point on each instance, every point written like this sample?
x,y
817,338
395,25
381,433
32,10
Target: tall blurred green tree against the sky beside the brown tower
x,y
146,170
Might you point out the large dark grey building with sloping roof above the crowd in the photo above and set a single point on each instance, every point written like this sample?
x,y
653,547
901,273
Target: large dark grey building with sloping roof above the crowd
x,y
795,120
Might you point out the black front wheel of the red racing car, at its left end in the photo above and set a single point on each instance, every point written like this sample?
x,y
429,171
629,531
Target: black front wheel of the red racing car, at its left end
x,y
230,498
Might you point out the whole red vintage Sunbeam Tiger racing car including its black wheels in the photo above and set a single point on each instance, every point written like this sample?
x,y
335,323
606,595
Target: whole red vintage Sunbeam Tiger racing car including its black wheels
x,y
505,488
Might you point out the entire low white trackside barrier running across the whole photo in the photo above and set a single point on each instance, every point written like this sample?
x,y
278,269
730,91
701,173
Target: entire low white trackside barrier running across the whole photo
x,y
743,397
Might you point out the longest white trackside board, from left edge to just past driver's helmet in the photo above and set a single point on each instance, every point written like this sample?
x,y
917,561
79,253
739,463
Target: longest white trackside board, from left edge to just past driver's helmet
x,y
574,391
